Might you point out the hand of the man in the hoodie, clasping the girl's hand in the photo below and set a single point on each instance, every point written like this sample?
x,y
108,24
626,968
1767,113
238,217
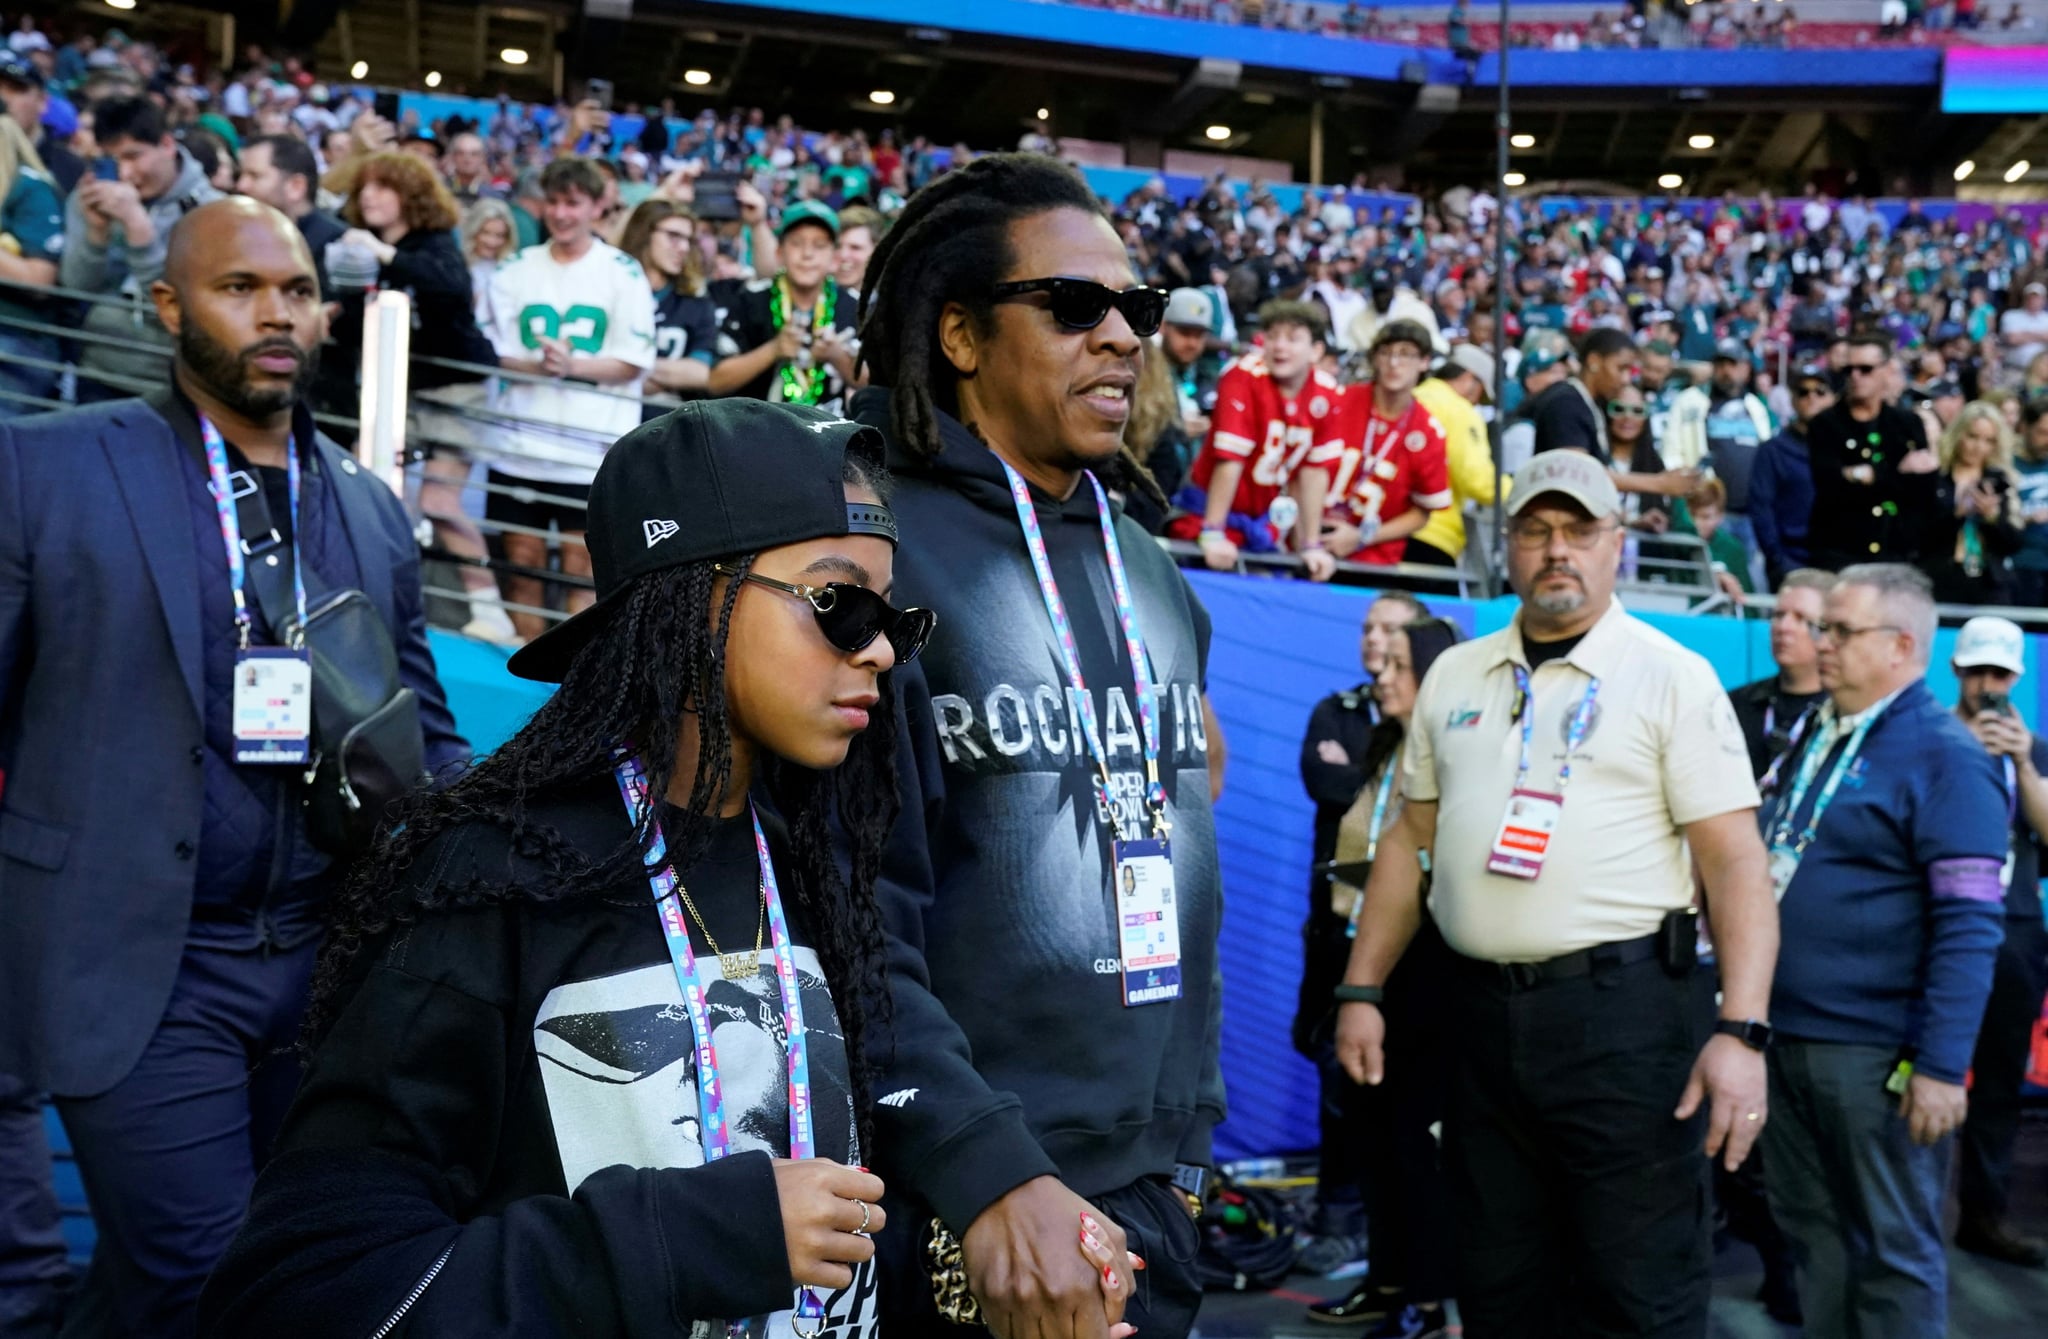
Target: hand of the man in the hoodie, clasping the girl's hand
x,y
1025,1270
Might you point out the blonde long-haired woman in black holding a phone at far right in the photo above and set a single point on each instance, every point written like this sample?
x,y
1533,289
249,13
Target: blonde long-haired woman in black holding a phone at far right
x,y
1973,523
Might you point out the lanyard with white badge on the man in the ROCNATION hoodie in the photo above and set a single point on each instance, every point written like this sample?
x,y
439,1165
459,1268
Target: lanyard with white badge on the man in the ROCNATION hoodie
x,y
1148,914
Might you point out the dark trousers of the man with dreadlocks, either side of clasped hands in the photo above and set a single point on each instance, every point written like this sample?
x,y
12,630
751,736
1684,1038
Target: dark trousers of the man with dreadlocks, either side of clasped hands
x,y
1154,1217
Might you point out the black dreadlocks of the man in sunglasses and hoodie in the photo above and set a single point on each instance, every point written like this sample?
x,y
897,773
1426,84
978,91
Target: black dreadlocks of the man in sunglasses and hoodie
x,y
949,247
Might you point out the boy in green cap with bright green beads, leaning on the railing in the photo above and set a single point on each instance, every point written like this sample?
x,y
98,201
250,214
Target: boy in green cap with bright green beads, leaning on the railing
x,y
792,339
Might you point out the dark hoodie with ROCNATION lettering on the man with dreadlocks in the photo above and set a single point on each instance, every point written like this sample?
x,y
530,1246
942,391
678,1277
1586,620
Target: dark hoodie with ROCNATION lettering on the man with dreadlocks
x,y
1013,1053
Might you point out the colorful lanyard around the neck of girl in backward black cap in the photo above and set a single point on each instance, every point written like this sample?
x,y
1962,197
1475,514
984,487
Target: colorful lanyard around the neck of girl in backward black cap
x,y
710,1096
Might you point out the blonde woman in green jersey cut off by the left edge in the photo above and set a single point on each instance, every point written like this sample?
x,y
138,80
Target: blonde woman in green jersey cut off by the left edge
x,y
32,239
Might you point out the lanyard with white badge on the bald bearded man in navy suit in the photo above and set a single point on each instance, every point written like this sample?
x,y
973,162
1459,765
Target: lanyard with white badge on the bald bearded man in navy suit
x,y
273,701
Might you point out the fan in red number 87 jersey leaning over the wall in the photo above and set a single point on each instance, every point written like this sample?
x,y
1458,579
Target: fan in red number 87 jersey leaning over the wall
x,y
1265,474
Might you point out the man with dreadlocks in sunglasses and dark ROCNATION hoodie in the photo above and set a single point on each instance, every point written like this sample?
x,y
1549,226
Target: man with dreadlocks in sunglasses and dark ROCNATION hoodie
x,y
1054,894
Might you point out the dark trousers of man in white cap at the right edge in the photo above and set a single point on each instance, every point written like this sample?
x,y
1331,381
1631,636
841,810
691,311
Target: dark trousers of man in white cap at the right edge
x,y
2000,1068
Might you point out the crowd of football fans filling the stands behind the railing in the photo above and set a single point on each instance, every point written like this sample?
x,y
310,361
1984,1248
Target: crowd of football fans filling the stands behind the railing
x,y
562,273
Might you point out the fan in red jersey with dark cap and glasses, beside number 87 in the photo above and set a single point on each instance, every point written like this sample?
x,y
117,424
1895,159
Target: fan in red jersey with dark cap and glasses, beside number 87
x,y
1394,470
